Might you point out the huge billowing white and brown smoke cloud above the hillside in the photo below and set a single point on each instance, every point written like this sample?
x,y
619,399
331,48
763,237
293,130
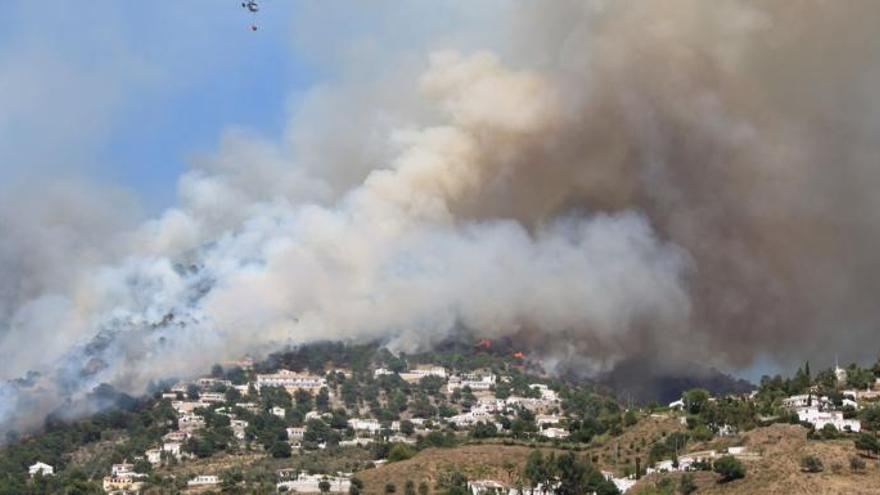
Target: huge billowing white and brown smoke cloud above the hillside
x,y
669,180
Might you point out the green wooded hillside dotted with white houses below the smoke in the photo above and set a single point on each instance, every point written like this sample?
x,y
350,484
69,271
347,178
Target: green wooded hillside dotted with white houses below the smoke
x,y
333,418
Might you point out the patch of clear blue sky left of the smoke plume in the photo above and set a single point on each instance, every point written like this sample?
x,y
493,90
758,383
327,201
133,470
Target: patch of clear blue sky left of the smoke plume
x,y
124,92
